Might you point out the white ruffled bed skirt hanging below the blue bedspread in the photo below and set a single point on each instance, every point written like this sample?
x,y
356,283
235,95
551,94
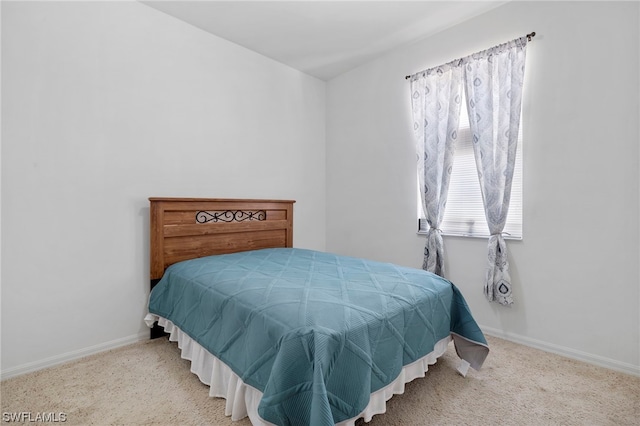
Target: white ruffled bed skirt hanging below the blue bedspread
x,y
242,400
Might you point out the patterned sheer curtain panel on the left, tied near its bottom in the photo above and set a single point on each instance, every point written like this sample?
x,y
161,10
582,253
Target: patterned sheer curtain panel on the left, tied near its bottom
x,y
436,100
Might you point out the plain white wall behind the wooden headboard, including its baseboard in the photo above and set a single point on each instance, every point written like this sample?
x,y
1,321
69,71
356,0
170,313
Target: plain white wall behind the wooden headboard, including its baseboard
x,y
104,105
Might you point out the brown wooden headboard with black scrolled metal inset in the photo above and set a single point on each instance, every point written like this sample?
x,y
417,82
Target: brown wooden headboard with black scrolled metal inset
x,y
186,228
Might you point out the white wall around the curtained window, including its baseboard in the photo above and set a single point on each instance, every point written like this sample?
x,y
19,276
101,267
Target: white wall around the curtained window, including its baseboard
x,y
575,273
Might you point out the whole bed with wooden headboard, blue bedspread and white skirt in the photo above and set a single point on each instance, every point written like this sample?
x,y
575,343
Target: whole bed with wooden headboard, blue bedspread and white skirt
x,y
291,336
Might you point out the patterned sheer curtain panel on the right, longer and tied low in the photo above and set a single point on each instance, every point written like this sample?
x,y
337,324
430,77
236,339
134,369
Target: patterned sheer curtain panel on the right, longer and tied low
x,y
493,84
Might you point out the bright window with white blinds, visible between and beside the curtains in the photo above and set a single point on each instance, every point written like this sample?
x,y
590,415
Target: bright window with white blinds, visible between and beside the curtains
x,y
464,212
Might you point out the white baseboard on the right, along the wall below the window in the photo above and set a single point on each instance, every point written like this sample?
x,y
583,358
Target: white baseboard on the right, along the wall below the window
x,y
600,361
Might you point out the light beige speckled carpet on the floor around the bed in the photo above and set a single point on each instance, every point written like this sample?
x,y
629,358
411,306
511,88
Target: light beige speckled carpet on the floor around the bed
x,y
147,383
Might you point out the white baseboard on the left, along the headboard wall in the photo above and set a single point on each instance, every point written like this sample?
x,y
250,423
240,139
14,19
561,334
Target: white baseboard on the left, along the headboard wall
x,y
71,356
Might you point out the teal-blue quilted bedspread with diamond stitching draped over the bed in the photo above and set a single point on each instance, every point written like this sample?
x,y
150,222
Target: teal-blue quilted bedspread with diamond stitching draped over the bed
x,y
315,332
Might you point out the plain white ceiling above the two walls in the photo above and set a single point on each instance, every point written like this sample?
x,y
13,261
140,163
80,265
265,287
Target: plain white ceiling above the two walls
x,y
323,38
